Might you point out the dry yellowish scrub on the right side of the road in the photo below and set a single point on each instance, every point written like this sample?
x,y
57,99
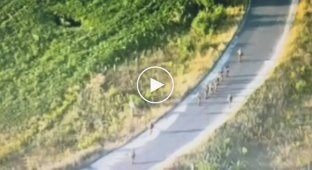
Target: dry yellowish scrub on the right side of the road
x,y
274,129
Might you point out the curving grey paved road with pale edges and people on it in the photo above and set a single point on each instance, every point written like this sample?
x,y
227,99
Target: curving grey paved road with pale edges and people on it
x,y
267,23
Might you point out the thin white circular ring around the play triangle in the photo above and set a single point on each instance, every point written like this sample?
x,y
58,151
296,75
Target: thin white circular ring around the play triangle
x,y
155,67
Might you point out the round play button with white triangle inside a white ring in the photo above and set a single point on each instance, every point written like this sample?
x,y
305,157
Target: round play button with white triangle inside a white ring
x,y
155,84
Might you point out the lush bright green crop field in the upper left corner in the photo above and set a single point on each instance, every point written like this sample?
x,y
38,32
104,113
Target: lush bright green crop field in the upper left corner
x,y
44,55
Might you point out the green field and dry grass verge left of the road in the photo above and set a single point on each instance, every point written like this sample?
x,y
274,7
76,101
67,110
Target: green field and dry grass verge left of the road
x,y
68,70
